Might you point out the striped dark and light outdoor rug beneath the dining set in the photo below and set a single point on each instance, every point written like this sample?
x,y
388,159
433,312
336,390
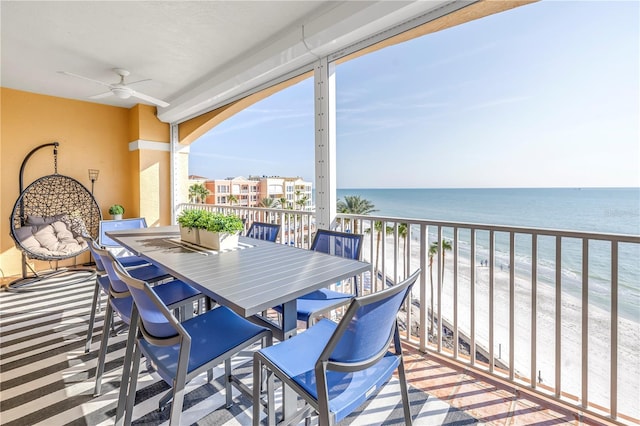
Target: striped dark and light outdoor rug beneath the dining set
x,y
47,379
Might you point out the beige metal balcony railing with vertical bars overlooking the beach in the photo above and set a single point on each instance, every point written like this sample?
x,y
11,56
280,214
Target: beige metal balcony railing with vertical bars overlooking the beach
x,y
552,311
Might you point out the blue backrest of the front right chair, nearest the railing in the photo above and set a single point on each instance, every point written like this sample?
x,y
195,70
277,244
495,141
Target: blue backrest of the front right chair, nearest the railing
x,y
367,328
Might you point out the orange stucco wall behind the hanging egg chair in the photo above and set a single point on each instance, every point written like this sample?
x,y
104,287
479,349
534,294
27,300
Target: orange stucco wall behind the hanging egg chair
x,y
91,136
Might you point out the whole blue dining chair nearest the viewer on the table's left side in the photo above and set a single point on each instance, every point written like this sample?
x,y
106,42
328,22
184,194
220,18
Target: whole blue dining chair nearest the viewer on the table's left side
x,y
181,351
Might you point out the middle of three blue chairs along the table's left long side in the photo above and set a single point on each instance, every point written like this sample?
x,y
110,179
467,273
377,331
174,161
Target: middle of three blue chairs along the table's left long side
x,y
174,293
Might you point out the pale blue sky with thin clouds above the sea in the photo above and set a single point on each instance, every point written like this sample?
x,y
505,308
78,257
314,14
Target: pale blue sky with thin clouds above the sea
x,y
546,95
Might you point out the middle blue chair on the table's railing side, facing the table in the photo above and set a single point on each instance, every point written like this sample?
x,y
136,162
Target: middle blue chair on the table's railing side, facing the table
x,y
321,301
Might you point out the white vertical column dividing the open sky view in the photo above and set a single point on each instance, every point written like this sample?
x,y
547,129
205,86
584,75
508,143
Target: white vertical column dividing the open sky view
x,y
325,140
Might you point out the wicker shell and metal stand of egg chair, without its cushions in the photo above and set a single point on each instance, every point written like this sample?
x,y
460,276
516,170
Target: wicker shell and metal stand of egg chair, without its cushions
x,y
53,196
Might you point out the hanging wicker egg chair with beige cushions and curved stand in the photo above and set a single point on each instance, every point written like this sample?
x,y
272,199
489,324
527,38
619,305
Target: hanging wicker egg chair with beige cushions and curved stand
x,y
48,222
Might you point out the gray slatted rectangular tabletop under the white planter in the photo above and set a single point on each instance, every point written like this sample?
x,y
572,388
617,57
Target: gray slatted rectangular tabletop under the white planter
x,y
256,276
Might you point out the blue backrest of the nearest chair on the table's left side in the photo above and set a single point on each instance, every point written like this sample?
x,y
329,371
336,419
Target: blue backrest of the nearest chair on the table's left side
x,y
158,326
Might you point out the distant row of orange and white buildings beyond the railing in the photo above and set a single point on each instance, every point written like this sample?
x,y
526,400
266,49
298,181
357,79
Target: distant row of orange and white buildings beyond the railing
x,y
249,192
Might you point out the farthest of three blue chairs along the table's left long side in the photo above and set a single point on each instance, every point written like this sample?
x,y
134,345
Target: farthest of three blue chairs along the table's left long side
x,y
143,269
